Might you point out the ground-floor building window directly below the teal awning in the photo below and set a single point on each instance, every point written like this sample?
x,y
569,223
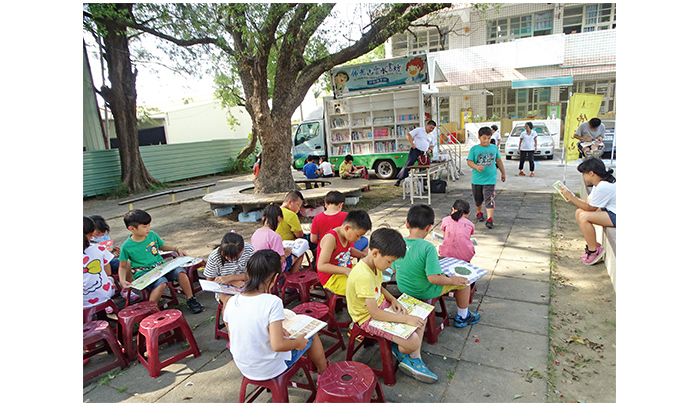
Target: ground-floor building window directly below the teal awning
x,y
510,103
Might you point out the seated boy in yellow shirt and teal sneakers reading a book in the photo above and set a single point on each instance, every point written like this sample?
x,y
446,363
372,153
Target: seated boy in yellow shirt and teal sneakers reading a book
x,y
368,300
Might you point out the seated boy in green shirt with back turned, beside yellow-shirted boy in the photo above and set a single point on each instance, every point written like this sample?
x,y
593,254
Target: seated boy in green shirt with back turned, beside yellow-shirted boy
x,y
418,274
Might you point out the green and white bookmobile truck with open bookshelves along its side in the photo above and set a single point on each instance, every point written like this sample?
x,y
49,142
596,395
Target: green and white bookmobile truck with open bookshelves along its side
x,y
373,108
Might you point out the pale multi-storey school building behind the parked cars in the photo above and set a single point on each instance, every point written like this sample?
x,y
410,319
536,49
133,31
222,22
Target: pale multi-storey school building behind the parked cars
x,y
529,57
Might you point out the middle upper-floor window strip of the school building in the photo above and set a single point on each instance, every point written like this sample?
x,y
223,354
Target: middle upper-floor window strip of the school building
x,y
509,29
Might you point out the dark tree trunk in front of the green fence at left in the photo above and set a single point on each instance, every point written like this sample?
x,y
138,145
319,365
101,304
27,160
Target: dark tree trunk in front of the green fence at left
x,y
121,98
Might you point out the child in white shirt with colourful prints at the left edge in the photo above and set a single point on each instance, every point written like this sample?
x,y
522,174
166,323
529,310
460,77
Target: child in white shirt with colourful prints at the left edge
x,y
98,285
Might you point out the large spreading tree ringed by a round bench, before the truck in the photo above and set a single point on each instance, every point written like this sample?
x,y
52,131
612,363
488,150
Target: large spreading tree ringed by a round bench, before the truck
x,y
268,56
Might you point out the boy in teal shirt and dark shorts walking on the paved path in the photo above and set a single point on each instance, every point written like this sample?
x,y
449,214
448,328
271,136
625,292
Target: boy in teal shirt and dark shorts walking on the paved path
x,y
483,159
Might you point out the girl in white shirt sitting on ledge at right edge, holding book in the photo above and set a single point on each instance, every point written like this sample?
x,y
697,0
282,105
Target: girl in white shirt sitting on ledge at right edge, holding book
x,y
600,208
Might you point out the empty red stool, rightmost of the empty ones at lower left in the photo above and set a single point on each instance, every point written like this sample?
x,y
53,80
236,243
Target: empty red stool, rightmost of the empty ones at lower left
x,y
152,327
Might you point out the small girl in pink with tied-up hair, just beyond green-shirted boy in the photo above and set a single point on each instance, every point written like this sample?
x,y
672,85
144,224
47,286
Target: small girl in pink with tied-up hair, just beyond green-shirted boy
x,y
458,231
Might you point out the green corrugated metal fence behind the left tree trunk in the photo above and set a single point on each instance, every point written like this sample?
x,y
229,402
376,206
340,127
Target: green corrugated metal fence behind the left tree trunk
x,y
167,163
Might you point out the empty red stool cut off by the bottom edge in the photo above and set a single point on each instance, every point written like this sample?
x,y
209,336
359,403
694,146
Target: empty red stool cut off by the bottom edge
x,y
349,382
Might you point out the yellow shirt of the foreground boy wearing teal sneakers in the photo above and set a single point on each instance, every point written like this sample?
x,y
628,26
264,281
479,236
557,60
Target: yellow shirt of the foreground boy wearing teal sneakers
x,y
362,283
